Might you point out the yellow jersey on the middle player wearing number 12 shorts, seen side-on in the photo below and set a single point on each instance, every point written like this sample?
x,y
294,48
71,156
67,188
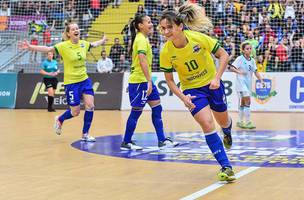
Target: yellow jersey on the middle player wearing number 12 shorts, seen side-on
x,y
141,45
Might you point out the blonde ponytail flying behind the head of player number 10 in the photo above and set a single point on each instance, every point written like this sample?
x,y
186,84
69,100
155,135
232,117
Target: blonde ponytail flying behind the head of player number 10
x,y
194,18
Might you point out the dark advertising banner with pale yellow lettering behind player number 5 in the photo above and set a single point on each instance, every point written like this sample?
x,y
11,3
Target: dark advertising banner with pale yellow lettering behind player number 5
x,y
32,92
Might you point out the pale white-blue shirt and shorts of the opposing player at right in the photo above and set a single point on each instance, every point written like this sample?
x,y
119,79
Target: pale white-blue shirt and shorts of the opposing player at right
x,y
244,81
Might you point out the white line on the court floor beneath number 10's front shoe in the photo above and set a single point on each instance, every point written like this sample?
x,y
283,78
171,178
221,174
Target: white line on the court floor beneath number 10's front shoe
x,y
217,185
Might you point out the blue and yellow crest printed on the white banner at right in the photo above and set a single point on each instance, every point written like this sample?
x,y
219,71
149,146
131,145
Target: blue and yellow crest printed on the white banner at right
x,y
263,93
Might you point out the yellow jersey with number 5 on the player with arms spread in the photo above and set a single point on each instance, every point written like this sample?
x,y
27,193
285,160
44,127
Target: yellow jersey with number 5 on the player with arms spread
x,y
74,58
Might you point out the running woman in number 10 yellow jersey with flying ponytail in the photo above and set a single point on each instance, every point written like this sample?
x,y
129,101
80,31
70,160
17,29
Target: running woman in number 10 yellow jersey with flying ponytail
x,y
189,52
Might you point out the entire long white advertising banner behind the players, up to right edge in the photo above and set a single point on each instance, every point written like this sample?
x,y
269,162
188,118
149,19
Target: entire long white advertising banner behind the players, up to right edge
x,y
284,92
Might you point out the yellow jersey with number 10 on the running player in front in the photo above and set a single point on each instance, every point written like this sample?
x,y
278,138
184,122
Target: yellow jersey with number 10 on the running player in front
x,y
193,63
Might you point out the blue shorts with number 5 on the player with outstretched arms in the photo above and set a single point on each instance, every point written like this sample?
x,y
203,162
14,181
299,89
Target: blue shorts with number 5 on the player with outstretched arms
x,y
74,91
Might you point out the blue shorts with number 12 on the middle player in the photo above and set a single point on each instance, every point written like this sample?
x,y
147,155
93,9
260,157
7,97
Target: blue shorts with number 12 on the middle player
x,y
138,94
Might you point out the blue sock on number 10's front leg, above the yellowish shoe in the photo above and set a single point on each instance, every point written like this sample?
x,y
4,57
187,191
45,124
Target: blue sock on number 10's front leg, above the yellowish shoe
x,y
216,146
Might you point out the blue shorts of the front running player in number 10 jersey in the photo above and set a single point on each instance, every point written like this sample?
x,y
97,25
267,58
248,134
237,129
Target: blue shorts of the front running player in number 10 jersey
x,y
205,96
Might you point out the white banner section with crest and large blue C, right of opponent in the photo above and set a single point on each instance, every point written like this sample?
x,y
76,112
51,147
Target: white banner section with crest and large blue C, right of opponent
x,y
283,92
